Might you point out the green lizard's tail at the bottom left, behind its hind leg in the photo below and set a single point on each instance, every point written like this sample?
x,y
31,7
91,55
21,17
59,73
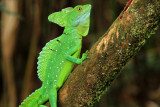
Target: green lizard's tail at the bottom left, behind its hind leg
x,y
35,99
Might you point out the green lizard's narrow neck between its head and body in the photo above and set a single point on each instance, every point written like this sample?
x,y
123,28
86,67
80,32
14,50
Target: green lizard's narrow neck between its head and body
x,y
72,31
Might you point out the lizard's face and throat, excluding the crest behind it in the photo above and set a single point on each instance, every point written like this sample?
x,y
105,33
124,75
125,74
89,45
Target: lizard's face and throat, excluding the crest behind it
x,y
79,18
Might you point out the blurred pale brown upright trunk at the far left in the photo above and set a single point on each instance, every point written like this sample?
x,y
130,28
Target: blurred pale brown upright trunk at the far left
x,y
10,22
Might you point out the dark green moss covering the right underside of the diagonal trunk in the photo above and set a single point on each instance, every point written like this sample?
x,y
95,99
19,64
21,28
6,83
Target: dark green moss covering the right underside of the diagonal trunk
x,y
144,23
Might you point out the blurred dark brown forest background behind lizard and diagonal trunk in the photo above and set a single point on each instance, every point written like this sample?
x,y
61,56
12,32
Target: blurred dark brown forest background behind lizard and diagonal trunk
x,y
25,29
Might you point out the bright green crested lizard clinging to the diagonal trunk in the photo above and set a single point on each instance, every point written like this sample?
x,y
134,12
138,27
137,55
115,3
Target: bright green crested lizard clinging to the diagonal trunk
x,y
57,58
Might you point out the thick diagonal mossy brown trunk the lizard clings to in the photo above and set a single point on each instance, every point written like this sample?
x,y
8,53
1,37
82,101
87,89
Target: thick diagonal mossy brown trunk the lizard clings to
x,y
86,84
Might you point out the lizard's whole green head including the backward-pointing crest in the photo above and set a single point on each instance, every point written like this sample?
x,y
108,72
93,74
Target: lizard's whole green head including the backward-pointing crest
x,y
77,18
